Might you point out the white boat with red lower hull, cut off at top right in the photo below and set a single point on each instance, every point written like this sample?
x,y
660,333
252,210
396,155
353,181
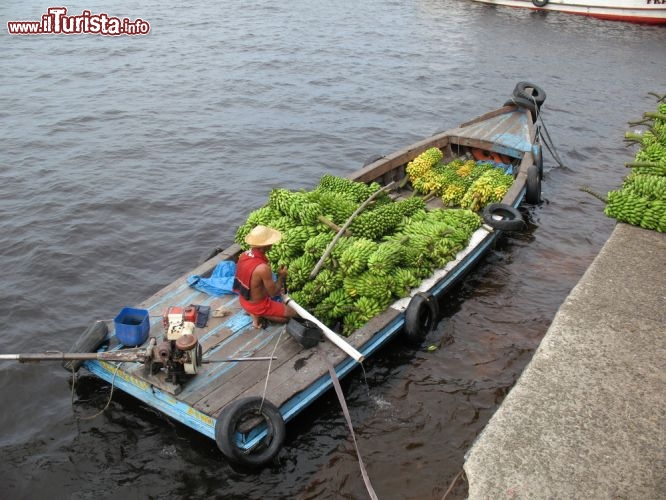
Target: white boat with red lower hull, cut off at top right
x,y
636,11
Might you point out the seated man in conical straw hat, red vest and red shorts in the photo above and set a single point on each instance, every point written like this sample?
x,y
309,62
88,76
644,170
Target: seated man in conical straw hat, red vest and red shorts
x,y
254,279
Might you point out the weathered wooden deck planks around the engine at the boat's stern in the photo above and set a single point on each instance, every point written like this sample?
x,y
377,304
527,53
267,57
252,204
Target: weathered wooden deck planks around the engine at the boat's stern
x,y
232,336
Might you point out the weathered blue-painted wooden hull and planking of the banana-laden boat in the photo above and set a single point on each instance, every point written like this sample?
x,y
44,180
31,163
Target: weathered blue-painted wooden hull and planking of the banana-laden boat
x,y
298,376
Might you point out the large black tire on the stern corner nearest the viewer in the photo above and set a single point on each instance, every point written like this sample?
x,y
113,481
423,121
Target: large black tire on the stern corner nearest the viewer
x,y
235,414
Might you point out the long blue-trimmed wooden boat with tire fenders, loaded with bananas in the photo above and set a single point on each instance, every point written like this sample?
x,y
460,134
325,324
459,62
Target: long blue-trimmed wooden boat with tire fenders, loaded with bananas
x,y
216,398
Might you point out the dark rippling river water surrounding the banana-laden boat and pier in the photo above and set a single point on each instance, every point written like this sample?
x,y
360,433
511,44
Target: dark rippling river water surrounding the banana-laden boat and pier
x,y
125,160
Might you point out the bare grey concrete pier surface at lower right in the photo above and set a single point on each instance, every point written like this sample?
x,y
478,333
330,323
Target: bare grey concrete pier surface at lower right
x,y
586,418
